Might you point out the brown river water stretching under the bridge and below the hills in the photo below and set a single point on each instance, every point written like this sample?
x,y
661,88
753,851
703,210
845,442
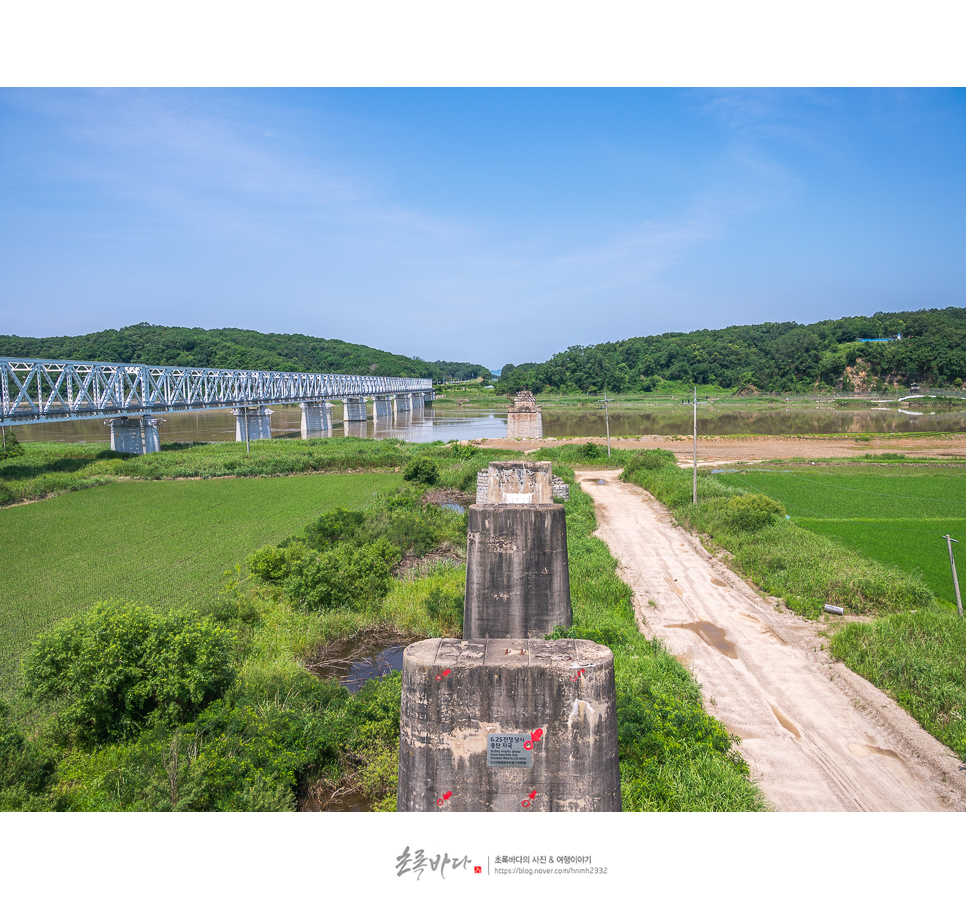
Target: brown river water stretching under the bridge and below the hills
x,y
437,424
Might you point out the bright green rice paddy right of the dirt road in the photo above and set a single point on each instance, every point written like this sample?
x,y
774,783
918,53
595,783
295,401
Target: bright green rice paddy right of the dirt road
x,y
896,515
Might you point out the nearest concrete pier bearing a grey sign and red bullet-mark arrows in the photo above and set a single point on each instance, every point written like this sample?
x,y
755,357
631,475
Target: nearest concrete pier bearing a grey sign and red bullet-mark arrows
x,y
508,725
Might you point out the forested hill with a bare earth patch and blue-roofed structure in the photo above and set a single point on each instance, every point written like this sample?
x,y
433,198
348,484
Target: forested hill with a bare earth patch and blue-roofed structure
x,y
782,357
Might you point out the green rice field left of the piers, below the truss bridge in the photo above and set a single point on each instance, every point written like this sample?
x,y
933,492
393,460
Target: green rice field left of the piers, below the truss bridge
x,y
162,543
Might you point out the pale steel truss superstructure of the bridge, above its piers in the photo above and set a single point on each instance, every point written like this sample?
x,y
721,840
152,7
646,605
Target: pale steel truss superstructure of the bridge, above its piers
x,y
33,391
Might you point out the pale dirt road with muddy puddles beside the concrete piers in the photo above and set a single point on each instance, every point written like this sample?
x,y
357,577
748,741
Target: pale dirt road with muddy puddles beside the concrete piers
x,y
816,736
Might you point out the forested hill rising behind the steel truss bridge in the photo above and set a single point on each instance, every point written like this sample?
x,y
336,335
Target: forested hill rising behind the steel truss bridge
x,y
236,349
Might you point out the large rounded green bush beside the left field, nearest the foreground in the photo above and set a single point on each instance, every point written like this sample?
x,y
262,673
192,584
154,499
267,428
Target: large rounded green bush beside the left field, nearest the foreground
x,y
119,668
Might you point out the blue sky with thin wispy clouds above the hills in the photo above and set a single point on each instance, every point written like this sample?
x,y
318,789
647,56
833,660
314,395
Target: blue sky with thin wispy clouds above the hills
x,y
489,225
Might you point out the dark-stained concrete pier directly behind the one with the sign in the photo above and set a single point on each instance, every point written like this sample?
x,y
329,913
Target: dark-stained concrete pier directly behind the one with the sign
x,y
517,575
